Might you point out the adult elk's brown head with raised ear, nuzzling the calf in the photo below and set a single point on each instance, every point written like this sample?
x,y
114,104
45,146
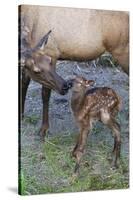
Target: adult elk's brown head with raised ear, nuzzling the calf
x,y
39,67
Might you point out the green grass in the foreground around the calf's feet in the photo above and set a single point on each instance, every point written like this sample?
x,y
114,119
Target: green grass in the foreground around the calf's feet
x,y
52,169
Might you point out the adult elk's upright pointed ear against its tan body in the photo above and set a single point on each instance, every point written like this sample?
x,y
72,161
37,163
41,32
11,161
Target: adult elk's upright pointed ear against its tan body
x,y
41,44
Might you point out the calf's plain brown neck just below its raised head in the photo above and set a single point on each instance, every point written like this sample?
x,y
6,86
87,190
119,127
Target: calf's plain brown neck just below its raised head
x,y
77,100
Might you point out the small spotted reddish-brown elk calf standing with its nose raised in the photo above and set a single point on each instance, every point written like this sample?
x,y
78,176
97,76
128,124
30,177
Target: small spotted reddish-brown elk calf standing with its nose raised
x,y
90,105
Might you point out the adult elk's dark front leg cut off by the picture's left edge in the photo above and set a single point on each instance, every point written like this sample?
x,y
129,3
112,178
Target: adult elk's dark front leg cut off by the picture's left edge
x,y
23,87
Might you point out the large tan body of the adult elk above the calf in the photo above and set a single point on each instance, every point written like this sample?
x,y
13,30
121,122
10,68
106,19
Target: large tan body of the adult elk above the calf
x,y
79,34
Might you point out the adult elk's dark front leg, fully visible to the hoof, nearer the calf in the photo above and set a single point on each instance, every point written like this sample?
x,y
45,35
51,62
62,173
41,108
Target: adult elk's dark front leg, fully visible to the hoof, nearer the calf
x,y
45,119
